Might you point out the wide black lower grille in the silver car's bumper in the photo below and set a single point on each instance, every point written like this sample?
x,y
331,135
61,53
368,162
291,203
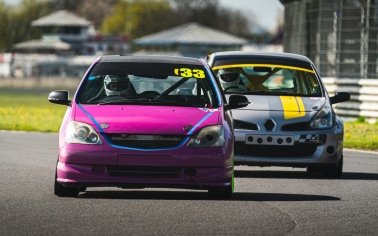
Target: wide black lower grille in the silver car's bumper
x,y
297,150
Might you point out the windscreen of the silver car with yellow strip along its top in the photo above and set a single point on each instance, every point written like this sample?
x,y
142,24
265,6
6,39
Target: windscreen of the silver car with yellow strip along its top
x,y
273,80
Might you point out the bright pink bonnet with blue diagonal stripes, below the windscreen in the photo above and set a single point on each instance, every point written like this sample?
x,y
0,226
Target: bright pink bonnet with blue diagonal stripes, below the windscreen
x,y
133,119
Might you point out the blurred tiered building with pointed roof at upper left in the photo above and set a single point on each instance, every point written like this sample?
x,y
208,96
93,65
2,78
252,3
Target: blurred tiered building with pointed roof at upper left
x,y
68,46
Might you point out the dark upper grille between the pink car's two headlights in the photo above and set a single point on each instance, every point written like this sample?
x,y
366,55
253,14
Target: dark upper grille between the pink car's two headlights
x,y
145,141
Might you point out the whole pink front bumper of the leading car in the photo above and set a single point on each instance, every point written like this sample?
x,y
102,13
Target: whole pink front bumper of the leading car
x,y
114,168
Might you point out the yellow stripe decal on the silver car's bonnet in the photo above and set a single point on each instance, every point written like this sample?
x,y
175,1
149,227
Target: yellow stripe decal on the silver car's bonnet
x,y
293,107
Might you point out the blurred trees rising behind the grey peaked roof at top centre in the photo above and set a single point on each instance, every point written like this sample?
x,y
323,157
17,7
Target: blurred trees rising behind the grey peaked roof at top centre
x,y
141,17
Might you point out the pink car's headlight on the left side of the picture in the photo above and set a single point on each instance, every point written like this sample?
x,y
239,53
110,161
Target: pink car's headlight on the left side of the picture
x,y
78,132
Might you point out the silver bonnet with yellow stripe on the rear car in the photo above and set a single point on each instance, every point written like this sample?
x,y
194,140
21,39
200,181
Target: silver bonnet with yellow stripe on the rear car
x,y
284,108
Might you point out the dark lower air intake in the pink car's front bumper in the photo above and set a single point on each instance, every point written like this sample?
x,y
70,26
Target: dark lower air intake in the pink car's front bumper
x,y
146,172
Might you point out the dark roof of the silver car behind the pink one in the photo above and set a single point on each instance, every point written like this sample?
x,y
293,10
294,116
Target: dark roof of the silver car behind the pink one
x,y
251,57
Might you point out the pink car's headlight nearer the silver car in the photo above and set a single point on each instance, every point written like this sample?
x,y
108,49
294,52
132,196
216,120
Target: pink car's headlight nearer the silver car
x,y
211,136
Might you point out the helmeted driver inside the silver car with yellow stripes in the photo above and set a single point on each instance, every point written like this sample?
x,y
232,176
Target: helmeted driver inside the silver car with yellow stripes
x,y
230,80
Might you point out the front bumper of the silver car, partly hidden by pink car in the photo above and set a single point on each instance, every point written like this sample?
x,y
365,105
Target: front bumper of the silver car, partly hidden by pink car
x,y
310,148
